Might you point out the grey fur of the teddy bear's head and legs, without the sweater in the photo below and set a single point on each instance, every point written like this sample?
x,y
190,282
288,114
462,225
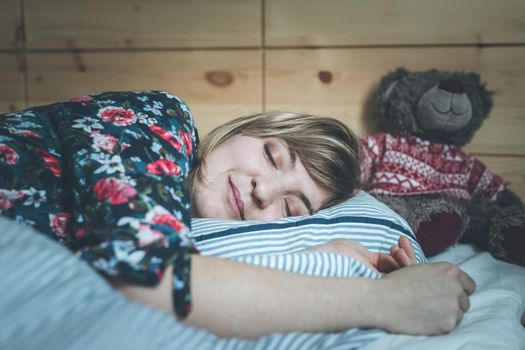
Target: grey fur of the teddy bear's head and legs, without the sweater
x,y
486,222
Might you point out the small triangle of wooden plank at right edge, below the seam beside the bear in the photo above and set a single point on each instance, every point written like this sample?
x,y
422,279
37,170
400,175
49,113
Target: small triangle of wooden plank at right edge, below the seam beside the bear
x,y
511,169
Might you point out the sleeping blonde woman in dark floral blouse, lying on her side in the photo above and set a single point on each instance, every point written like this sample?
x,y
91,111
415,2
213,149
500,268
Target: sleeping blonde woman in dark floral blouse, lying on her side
x,y
117,176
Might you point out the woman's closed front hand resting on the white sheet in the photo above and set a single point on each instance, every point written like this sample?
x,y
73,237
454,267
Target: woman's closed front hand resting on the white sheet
x,y
423,299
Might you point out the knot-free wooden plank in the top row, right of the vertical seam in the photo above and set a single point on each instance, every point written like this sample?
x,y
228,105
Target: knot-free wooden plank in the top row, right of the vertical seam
x,y
393,22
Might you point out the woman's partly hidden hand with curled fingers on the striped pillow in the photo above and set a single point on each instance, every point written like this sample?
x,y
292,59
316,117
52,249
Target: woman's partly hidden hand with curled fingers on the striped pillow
x,y
400,256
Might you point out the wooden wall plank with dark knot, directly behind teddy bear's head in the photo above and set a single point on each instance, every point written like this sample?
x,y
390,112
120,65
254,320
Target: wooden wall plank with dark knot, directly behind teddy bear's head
x,y
294,81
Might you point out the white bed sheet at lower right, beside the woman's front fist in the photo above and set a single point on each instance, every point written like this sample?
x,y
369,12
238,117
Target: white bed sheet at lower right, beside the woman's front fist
x,y
497,315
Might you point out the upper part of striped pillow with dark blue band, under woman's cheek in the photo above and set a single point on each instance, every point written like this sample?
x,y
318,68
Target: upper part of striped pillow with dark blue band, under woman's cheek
x,y
362,218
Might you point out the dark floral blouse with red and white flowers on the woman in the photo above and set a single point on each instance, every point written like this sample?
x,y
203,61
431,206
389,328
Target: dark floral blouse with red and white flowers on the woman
x,y
104,174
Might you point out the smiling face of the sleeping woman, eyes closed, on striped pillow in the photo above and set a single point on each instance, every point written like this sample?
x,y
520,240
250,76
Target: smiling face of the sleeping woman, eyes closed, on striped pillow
x,y
249,178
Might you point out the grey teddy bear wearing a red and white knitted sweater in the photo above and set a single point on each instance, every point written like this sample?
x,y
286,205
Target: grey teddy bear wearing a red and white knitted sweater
x,y
416,165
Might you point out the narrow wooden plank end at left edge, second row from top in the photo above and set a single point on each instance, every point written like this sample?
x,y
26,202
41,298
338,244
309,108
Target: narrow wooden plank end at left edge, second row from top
x,y
11,83
